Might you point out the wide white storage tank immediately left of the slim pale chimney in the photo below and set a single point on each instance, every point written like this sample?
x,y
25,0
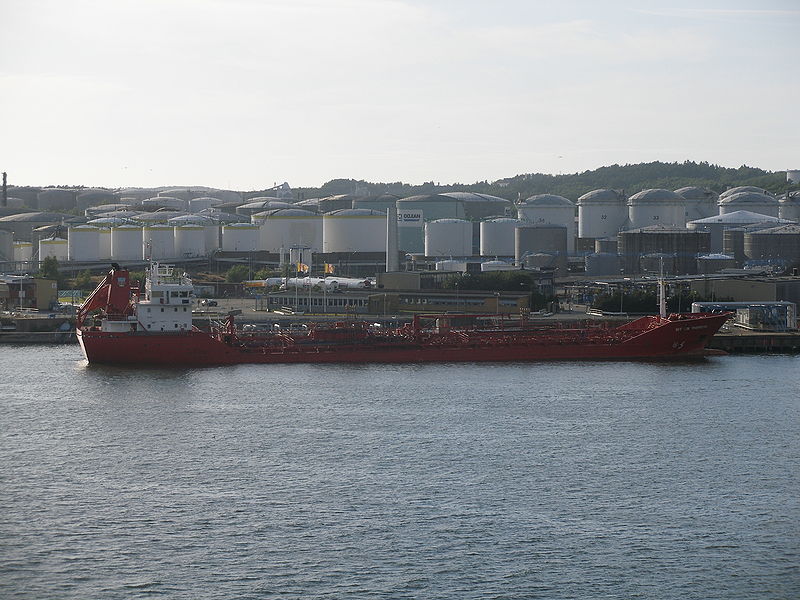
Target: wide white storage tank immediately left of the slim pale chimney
x,y
354,230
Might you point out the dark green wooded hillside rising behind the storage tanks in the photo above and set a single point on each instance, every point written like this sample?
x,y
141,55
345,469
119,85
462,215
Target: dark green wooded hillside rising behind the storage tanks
x,y
630,178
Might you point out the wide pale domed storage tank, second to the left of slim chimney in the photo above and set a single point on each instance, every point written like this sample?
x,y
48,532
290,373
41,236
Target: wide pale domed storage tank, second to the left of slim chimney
x,y
287,227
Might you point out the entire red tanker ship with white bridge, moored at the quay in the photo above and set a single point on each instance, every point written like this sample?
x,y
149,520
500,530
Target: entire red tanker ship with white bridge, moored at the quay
x,y
121,324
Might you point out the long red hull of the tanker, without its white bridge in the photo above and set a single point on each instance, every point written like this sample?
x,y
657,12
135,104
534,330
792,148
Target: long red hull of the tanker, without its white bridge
x,y
648,338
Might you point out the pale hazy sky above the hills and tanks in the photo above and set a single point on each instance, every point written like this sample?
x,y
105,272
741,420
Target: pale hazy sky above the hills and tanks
x,y
242,94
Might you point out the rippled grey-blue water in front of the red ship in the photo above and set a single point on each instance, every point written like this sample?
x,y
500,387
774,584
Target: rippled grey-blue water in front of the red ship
x,y
583,480
